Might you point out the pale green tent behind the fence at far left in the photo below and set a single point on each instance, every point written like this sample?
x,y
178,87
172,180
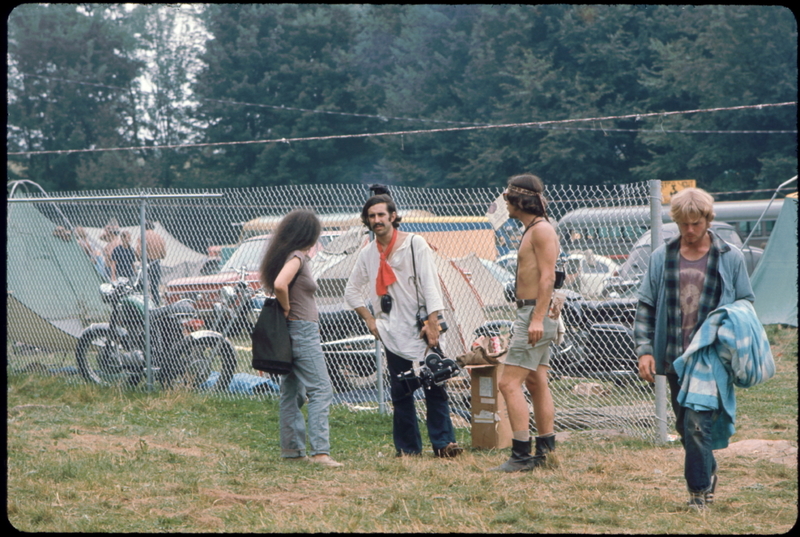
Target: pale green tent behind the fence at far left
x,y
52,287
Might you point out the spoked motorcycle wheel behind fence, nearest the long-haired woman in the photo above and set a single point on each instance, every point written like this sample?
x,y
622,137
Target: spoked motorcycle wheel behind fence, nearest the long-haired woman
x,y
201,363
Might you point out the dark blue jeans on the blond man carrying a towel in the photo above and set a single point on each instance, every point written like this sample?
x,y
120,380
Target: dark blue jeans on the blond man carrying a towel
x,y
694,429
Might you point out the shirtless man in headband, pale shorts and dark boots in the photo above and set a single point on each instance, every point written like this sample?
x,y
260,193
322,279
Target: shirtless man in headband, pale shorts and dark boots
x,y
528,357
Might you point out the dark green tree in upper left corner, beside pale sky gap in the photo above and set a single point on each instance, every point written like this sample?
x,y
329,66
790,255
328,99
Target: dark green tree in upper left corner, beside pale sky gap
x,y
65,63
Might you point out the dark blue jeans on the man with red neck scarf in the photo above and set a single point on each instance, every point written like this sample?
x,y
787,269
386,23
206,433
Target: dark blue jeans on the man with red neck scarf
x,y
405,428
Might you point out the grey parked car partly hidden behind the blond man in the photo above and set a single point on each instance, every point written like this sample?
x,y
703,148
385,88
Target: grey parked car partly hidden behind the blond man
x,y
626,280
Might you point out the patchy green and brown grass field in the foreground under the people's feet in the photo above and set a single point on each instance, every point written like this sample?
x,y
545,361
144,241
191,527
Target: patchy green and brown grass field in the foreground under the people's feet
x,y
85,459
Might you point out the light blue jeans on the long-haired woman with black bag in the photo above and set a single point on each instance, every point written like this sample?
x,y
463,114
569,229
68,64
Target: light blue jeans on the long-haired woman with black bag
x,y
309,377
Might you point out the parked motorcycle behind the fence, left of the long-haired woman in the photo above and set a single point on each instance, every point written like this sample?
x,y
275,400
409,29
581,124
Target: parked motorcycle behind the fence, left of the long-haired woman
x,y
183,354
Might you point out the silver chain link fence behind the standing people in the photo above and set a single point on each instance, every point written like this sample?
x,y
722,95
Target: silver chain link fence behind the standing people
x,y
69,314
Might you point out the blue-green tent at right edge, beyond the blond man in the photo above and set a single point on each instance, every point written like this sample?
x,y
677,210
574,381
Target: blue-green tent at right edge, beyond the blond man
x,y
775,278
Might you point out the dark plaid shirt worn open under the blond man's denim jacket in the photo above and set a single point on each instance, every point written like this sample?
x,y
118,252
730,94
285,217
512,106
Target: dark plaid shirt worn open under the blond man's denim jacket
x,y
644,326
